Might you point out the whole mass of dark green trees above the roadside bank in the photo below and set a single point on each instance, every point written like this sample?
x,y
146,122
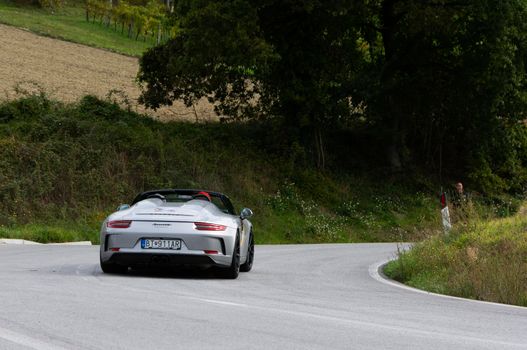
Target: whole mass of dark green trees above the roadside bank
x,y
435,84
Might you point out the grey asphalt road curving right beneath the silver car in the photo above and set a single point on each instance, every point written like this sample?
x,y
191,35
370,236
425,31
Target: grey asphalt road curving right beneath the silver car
x,y
296,297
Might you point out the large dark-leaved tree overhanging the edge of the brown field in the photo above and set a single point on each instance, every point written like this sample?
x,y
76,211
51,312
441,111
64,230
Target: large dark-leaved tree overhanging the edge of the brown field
x,y
291,60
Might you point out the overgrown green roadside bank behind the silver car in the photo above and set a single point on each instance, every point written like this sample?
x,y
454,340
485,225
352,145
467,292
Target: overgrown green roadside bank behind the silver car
x,y
63,168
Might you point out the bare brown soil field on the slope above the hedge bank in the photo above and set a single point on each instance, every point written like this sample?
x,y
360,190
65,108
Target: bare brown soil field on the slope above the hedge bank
x,y
67,71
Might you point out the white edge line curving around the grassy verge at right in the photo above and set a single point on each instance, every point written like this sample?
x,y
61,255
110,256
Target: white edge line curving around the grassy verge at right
x,y
375,272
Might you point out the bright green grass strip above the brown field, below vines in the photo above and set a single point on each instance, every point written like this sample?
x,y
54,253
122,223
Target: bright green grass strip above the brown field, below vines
x,y
70,24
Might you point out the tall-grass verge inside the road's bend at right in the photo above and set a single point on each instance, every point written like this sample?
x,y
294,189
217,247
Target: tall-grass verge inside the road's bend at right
x,y
481,259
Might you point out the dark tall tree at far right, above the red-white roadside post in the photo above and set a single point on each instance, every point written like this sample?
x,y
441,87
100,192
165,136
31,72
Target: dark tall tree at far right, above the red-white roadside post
x,y
444,76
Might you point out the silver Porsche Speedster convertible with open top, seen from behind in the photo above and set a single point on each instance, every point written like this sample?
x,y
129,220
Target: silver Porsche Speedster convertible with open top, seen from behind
x,y
178,228
